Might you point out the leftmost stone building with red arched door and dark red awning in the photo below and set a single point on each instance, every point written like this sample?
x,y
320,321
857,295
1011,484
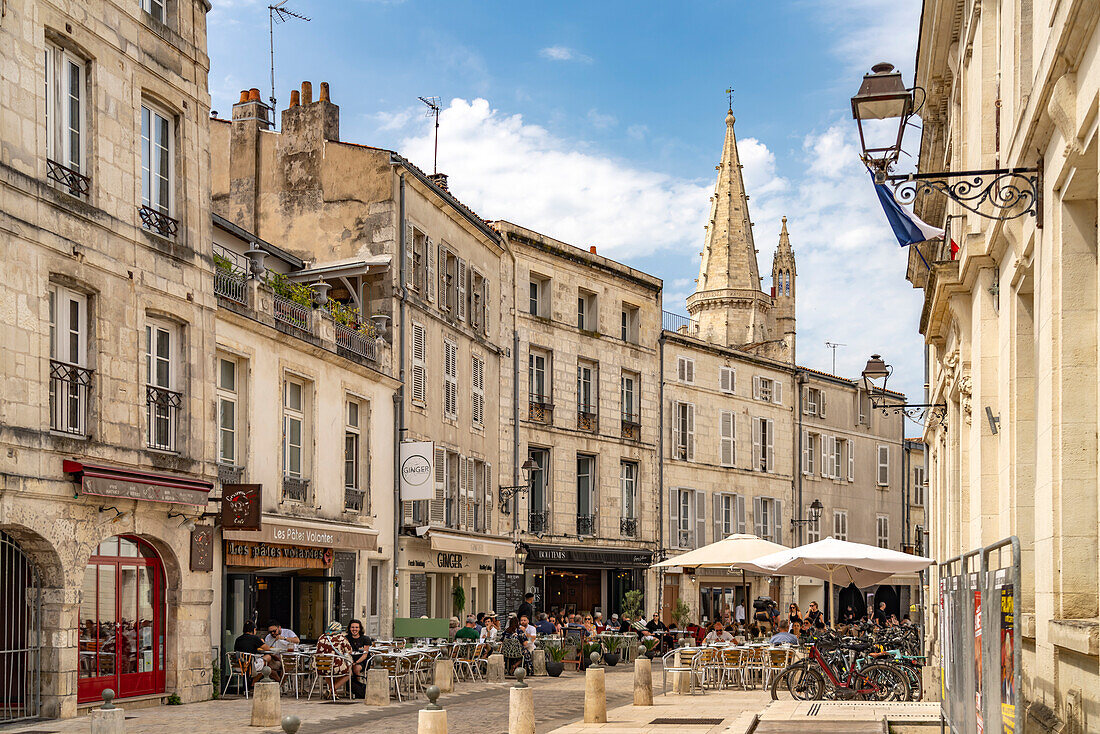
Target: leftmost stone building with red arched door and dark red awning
x,y
107,451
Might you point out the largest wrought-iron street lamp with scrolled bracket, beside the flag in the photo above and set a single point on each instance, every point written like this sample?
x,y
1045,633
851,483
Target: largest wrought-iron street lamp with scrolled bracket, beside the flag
x,y
993,193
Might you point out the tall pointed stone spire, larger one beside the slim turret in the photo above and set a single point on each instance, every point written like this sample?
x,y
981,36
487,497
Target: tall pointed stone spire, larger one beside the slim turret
x,y
729,303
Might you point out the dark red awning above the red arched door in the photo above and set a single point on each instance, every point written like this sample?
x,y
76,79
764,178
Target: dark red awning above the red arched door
x,y
107,481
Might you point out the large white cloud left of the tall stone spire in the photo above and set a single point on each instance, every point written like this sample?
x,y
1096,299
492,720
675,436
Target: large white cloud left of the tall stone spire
x,y
505,168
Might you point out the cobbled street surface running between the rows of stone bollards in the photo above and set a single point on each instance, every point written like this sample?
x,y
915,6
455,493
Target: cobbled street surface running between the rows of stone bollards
x,y
476,708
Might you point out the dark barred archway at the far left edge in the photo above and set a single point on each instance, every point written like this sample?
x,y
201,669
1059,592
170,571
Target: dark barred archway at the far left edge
x,y
20,632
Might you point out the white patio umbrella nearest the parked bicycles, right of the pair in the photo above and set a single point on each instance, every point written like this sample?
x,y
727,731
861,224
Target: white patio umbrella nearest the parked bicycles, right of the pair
x,y
840,562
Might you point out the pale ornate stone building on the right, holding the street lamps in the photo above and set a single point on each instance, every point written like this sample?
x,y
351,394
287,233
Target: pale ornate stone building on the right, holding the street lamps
x,y
1011,325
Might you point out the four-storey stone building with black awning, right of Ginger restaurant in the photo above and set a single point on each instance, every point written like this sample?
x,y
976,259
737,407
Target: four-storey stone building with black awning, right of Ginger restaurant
x,y
587,378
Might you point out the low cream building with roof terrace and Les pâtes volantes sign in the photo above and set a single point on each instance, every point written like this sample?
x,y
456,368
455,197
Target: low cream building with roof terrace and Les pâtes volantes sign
x,y
305,415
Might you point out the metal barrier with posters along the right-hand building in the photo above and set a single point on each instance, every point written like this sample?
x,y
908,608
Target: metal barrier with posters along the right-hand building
x,y
980,658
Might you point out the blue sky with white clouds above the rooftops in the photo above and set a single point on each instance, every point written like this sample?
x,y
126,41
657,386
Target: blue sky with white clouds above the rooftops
x,y
601,124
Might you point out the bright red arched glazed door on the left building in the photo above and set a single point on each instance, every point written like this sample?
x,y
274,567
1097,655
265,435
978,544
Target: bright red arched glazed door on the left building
x,y
123,614
